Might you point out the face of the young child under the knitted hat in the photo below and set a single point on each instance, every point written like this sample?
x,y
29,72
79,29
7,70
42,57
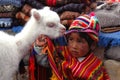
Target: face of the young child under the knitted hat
x,y
77,45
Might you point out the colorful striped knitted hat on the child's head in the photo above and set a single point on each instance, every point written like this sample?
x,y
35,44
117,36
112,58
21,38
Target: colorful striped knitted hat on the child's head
x,y
86,23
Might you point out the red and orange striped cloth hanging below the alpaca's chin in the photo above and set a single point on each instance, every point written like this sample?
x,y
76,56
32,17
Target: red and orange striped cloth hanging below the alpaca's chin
x,y
55,50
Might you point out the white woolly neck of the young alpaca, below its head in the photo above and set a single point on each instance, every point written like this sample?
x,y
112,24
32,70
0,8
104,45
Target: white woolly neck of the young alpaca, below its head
x,y
27,36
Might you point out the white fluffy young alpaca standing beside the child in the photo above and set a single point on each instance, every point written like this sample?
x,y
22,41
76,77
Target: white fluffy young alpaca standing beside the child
x,y
14,48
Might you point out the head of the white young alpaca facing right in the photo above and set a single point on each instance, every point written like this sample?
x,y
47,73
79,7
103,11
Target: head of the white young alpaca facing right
x,y
48,21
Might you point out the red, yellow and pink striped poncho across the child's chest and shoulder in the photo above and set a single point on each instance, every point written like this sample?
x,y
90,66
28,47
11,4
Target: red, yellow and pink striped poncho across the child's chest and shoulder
x,y
91,68
